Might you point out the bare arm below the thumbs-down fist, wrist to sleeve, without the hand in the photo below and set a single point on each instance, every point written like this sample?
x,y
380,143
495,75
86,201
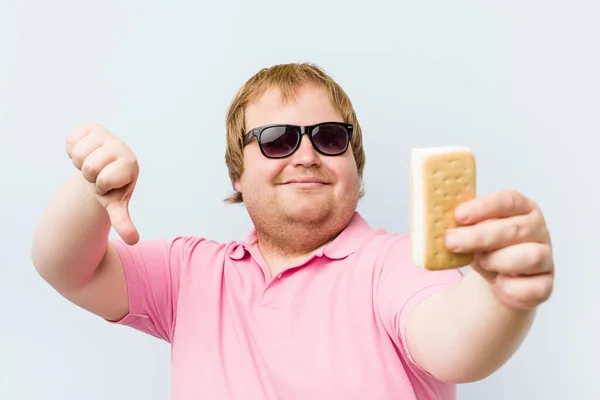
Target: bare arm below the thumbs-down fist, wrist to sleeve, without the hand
x,y
71,252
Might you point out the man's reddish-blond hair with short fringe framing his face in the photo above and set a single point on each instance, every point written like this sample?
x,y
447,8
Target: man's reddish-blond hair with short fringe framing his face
x,y
287,78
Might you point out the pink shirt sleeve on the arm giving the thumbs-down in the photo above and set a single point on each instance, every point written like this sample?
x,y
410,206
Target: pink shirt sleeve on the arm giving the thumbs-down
x,y
152,272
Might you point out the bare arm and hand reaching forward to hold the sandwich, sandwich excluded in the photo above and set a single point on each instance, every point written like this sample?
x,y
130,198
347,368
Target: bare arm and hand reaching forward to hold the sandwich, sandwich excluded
x,y
469,330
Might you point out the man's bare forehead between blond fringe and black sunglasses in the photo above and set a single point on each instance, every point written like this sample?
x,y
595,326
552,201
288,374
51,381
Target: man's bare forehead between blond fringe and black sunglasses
x,y
310,105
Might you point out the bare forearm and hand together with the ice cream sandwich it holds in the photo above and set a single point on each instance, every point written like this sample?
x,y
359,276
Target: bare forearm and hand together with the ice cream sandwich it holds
x,y
479,322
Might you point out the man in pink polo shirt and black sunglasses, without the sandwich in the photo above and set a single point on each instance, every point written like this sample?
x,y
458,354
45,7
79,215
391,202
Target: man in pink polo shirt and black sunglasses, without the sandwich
x,y
314,304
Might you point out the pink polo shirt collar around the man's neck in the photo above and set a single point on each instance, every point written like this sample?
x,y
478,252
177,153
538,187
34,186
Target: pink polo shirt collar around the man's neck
x,y
346,243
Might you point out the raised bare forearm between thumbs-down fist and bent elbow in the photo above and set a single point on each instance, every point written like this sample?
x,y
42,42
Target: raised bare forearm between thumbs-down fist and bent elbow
x,y
72,235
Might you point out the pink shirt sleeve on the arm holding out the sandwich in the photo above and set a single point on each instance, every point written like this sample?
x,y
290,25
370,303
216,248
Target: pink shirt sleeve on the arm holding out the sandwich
x,y
402,286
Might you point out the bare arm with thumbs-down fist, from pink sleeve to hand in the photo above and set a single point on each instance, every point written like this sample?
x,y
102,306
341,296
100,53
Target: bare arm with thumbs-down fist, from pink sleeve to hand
x,y
70,248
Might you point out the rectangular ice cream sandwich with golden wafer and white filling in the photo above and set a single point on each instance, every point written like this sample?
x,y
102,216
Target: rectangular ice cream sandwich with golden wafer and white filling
x,y
441,178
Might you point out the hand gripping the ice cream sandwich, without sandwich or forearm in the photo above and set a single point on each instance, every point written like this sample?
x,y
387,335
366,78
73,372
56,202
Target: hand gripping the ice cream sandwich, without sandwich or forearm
x,y
508,235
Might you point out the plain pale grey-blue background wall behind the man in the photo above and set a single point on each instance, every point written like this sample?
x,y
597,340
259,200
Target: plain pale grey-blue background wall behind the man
x,y
515,80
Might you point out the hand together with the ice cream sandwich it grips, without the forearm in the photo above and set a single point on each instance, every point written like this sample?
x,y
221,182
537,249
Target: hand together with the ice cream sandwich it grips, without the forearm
x,y
503,235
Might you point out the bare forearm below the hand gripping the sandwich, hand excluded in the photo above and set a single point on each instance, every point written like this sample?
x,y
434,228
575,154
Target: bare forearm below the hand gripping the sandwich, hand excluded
x,y
464,334
